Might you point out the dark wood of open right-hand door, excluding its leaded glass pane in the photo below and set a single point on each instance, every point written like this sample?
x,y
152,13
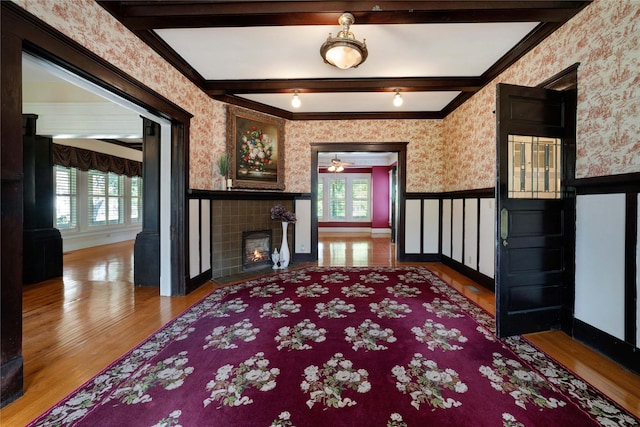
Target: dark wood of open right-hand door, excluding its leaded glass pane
x,y
535,238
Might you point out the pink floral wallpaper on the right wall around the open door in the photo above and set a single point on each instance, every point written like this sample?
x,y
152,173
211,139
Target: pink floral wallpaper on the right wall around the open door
x,y
605,39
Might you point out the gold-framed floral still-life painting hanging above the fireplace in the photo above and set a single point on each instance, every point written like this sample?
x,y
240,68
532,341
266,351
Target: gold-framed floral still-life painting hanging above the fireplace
x,y
256,146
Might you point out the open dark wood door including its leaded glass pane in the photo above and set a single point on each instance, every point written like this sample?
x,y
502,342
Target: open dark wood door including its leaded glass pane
x,y
531,260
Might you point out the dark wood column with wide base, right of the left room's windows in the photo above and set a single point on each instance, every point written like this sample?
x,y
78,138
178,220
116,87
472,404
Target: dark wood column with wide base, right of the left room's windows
x,y
146,251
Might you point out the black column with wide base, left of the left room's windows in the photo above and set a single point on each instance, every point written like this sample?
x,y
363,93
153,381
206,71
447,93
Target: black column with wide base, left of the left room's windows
x,y
42,242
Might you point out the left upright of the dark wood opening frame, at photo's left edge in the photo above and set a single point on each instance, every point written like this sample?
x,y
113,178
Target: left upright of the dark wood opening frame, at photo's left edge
x,y
11,363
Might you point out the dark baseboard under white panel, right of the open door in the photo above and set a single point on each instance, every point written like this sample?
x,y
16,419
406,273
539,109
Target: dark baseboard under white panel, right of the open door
x,y
612,347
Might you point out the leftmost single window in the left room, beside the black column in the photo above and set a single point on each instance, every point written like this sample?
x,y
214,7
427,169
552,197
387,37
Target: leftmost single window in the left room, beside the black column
x,y
66,210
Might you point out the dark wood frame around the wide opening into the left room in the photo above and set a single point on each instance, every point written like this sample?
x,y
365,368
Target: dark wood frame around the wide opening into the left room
x,y
23,31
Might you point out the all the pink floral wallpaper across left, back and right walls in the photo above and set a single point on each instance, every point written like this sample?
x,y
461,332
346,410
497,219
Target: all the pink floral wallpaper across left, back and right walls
x,y
457,153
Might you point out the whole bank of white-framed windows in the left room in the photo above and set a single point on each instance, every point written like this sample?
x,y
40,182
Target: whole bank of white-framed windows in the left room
x,y
94,199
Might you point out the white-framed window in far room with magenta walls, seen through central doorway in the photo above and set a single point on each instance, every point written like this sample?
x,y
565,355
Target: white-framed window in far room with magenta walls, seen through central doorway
x,y
344,197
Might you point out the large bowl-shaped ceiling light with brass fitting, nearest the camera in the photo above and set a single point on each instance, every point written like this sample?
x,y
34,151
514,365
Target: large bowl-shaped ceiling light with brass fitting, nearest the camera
x,y
344,51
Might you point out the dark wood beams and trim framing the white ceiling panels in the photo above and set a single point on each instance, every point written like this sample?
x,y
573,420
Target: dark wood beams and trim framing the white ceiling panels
x,y
142,19
